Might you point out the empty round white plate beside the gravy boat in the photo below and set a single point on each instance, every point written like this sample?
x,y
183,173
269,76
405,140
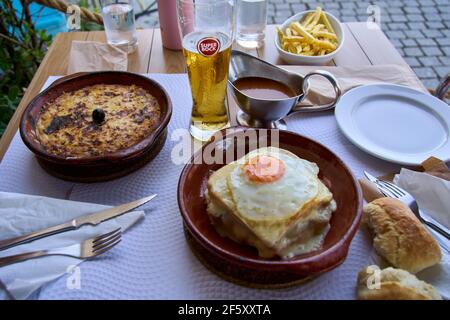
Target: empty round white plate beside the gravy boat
x,y
395,123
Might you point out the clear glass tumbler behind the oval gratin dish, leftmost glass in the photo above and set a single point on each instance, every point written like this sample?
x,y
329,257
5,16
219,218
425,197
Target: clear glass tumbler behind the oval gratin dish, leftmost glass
x,y
119,22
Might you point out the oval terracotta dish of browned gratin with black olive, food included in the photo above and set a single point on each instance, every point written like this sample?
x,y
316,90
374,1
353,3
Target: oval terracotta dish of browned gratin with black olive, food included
x,y
97,126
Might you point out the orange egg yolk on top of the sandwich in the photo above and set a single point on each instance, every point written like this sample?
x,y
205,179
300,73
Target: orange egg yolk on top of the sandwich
x,y
264,169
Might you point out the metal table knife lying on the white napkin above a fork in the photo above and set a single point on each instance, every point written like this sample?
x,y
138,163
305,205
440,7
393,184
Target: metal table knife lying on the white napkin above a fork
x,y
90,219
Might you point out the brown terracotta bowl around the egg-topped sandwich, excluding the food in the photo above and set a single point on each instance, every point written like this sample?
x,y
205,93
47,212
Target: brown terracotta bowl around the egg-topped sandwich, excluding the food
x,y
240,263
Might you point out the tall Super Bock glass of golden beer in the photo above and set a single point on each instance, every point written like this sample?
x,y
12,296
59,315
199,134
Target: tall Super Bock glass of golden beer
x,y
207,28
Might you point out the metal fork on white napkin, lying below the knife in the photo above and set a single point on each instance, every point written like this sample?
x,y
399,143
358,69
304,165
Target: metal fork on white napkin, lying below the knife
x,y
87,249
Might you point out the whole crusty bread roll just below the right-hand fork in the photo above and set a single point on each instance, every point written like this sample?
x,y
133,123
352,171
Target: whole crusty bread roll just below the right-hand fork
x,y
400,238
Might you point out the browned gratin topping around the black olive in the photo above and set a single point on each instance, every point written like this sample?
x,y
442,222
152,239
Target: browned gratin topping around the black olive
x,y
66,128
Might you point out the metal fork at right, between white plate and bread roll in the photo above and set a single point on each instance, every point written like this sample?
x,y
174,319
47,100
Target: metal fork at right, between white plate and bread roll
x,y
391,190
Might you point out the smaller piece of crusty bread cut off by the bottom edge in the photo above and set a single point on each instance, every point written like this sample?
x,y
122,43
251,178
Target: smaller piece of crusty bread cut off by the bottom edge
x,y
395,284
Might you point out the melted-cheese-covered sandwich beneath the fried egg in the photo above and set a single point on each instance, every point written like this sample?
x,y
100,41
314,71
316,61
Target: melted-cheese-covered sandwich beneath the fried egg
x,y
277,234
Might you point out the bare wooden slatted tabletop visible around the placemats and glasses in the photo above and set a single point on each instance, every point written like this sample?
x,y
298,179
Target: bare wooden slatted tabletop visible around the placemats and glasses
x,y
362,47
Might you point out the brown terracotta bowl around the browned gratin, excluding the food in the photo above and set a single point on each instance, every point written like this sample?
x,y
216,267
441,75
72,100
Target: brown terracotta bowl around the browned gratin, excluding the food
x,y
96,168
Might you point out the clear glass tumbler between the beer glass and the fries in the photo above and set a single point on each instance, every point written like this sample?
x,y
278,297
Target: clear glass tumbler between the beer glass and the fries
x,y
251,22
